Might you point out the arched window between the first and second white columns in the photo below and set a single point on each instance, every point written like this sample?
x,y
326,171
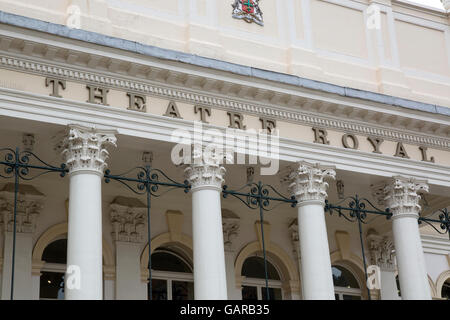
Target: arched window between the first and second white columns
x,y
172,277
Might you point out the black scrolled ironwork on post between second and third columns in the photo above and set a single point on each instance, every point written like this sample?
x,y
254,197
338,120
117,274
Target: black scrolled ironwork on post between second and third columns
x,y
258,197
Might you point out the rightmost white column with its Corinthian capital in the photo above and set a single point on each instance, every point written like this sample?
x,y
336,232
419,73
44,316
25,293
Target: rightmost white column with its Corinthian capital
x,y
403,201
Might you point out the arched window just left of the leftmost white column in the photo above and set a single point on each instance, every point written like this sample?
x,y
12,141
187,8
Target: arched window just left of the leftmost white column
x,y
52,275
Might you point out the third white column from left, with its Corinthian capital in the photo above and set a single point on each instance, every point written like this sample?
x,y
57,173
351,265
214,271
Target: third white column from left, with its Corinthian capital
x,y
309,188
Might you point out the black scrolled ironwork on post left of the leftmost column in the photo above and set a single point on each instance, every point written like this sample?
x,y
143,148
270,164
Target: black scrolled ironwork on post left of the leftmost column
x,y
19,165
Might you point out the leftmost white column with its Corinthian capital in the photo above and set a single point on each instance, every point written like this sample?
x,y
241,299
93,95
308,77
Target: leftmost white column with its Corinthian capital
x,y
85,154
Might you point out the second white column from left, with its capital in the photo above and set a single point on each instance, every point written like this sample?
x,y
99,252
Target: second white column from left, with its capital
x,y
209,260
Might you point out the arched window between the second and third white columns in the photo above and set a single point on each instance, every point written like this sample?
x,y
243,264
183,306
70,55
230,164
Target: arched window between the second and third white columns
x,y
254,285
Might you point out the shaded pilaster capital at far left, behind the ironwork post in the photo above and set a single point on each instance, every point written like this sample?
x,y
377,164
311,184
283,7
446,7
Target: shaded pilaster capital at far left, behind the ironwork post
x,y
28,208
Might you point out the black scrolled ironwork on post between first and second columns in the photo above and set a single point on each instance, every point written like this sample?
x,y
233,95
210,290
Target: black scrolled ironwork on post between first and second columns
x,y
146,181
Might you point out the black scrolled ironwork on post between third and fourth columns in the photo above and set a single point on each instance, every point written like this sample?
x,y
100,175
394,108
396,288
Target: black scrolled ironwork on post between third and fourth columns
x,y
357,210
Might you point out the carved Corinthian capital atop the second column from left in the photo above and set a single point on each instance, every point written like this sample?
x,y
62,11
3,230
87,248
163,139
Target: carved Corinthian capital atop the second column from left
x,y
206,170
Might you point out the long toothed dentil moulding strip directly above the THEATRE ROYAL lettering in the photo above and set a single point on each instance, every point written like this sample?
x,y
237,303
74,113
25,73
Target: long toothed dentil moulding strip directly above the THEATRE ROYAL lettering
x,y
373,131
